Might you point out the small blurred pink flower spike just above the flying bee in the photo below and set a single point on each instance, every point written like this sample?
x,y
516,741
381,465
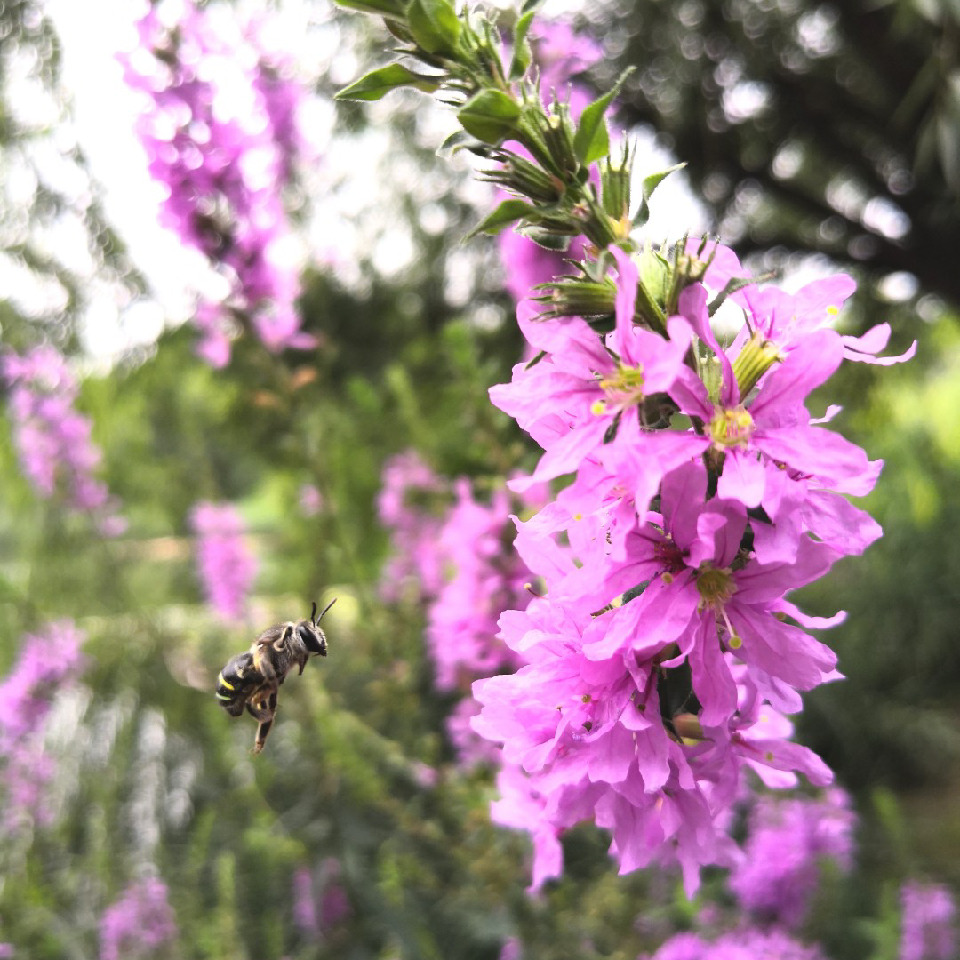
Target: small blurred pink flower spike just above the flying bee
x,y
225,564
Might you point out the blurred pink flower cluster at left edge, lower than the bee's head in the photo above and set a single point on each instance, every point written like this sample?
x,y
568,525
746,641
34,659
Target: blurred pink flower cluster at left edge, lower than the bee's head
x,y
47,661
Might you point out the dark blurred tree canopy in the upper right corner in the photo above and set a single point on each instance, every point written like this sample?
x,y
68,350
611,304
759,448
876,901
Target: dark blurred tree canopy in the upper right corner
x,y
815,127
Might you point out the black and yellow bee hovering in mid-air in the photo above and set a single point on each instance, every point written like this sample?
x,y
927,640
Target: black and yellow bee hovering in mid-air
x,y
250,680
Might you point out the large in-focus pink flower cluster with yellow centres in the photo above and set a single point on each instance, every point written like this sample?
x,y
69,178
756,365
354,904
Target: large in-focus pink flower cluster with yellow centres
x,y
664,658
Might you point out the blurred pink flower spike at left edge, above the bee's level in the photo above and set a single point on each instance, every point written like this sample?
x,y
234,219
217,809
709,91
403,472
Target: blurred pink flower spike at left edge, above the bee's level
x,y
57,453
